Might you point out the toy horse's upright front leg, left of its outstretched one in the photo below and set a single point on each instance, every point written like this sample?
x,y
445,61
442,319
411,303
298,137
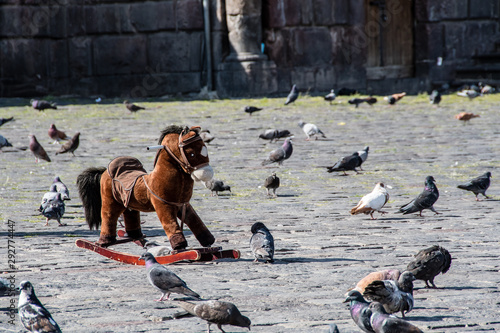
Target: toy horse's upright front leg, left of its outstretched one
x,y
168,218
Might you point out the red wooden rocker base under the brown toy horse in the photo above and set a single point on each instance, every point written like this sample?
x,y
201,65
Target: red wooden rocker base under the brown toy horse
x,y
196,254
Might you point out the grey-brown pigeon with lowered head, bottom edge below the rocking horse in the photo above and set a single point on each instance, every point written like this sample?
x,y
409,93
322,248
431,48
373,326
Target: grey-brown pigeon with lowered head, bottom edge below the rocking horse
x,y
216,312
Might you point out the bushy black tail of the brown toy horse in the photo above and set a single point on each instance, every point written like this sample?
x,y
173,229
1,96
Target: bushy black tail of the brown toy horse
x,y
89,188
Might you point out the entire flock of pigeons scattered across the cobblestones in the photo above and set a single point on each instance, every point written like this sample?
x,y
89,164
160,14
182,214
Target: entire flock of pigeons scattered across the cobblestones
x,y
389,291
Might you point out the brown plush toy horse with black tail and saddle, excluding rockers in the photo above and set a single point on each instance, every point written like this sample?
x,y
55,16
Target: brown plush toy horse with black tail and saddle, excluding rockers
x,y
126,188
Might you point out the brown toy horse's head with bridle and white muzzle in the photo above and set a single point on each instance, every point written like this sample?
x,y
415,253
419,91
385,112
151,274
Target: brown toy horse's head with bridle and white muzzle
x,y
191,153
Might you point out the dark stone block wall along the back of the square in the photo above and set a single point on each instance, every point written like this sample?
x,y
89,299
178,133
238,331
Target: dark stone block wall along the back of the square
x,y
131,48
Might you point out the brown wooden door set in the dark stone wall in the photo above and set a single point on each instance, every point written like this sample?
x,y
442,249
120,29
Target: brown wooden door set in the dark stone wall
x,y
389,29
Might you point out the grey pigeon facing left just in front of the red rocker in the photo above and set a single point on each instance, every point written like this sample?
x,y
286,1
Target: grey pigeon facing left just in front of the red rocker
x,y
164,279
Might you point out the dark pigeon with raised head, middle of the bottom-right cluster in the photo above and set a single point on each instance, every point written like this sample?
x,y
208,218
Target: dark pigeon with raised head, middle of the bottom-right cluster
x,y
396,296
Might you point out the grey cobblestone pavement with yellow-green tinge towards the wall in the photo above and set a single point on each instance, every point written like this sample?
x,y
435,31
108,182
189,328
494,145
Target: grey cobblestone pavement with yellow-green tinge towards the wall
x,y
321,250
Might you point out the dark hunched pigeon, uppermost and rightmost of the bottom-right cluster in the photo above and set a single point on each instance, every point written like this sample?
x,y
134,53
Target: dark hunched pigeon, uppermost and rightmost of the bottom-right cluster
x,y
428,263
